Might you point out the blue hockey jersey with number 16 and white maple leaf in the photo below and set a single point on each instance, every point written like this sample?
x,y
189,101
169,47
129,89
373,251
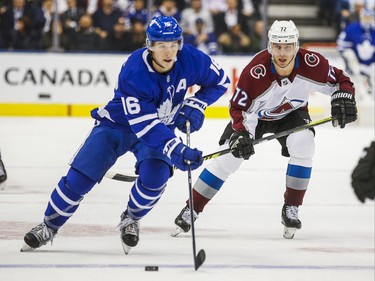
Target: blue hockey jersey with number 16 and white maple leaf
x,y
147,102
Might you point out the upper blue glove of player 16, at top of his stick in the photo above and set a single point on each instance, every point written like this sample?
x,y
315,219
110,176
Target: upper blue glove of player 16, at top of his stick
x,y
192,110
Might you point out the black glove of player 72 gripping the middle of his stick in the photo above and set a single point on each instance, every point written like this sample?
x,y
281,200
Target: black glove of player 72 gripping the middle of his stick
x,y
241,144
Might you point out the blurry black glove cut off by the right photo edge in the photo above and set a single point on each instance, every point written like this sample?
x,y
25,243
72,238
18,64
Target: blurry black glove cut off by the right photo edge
x,y
363,176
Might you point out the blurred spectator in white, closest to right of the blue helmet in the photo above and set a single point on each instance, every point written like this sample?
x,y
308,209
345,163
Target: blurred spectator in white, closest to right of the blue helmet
x,y
190,15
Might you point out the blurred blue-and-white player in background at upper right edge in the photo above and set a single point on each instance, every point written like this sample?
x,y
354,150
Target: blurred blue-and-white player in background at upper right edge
x,y
356,44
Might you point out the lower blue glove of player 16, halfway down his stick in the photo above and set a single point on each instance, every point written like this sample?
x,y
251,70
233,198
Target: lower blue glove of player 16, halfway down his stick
x,y
181,155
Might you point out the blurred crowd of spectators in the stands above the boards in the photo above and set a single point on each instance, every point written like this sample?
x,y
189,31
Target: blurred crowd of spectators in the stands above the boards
x,y
214,26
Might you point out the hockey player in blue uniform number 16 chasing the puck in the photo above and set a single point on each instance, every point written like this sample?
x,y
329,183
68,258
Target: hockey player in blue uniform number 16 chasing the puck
x,y
149,103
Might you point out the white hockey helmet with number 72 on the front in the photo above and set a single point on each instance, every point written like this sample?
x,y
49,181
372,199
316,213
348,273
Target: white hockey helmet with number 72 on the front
x,y
283,32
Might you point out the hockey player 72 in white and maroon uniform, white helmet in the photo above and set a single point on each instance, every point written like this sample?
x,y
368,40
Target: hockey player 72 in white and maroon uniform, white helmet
x,y
272,96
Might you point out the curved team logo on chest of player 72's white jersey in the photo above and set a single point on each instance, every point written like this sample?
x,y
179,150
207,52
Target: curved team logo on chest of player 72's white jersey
x,y
281,110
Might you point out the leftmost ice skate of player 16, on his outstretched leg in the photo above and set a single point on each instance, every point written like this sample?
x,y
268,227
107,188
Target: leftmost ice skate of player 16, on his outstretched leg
x,y
37,237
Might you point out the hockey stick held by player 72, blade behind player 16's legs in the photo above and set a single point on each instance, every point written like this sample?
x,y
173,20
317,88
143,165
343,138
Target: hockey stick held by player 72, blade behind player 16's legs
x,y
128,178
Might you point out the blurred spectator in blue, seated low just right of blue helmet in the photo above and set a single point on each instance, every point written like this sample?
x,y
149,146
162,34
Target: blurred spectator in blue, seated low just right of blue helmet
x,y
202,40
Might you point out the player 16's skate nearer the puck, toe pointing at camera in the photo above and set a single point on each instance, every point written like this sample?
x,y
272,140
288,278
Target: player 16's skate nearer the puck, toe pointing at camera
x,y
129,232
